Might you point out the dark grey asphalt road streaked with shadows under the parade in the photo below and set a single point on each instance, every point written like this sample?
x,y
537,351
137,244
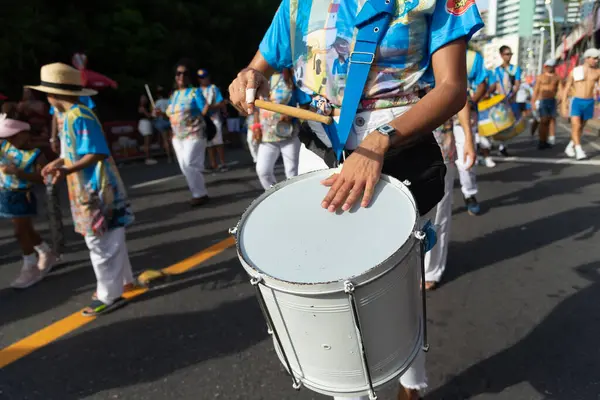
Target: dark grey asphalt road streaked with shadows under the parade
x,y
517,317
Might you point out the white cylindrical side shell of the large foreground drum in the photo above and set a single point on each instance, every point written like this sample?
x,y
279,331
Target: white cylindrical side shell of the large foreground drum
x,y
319,336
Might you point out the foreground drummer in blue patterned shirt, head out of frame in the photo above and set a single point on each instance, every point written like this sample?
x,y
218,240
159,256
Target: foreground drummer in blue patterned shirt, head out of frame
x,y
392,113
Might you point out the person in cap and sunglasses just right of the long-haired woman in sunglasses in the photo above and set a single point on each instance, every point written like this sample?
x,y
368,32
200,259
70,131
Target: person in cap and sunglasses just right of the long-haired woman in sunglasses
x,y
216,105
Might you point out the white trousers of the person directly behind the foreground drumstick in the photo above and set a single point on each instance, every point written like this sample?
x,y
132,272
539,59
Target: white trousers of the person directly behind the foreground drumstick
x,y
267,156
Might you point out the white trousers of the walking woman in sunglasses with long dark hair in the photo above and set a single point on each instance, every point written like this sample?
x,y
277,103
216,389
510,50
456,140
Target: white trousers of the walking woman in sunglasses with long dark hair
x,y
190,155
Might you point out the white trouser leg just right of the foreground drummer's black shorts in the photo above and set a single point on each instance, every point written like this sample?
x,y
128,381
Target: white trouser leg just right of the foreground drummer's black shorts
x,y
435,259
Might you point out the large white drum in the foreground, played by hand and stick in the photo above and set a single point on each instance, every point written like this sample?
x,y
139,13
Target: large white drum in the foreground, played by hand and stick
x,y
341,292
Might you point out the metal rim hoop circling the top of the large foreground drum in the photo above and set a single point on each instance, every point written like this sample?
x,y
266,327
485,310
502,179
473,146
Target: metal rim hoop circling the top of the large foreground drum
x,y
336,286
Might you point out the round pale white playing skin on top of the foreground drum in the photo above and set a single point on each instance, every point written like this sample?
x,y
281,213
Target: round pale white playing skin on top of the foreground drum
x,y
287,235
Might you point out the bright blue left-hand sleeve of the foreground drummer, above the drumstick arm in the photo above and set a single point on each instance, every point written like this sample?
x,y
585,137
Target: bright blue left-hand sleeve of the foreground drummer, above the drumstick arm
x,y
275,46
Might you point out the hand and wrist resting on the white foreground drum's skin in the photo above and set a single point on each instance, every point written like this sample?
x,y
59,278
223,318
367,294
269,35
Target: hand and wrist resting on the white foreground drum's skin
x,y
358,177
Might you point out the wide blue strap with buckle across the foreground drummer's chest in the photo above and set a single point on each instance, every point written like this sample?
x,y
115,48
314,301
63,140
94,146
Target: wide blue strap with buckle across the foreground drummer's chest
x,y
372,23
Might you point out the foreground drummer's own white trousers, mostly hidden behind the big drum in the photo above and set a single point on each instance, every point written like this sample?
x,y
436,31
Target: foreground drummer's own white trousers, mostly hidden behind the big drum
x,y
416,376
